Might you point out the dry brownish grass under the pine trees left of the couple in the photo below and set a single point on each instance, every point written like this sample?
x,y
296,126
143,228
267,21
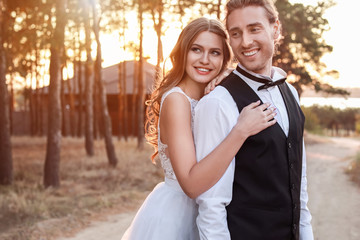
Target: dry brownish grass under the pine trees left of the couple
x,y
89,189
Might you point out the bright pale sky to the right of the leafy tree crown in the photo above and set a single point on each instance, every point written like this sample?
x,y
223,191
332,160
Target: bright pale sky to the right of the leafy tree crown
x,y
344,36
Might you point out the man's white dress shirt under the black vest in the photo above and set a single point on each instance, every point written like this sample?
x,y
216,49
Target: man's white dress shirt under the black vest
x,y
215,116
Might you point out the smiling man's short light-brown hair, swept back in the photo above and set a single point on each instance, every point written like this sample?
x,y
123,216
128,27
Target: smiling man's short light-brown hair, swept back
x,y
268,5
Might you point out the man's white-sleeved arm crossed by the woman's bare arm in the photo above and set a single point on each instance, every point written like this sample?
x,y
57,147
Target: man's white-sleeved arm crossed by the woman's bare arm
x,y
213,122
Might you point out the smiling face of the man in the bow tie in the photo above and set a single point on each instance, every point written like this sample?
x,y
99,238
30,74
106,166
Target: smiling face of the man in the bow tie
x,y
252,38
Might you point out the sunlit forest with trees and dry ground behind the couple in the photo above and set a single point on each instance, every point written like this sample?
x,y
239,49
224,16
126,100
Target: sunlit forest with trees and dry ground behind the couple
x,y
71,164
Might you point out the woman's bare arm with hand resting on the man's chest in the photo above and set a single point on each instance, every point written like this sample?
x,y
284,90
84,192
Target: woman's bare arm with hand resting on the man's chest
x,y
175,124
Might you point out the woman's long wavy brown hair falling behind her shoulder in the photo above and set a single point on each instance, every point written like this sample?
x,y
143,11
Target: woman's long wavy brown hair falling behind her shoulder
x,y
178,59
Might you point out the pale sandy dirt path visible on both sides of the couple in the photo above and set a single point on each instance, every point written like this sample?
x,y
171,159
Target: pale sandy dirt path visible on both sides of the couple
x,y
334,200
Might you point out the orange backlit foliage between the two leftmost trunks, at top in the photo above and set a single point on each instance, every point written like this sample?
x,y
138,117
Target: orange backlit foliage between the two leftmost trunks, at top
x,y
28,30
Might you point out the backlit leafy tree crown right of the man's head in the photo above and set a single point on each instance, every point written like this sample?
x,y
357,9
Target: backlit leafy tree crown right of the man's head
x,y
302,46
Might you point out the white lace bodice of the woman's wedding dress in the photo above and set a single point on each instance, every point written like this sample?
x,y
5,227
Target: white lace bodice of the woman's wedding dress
x,y
164,159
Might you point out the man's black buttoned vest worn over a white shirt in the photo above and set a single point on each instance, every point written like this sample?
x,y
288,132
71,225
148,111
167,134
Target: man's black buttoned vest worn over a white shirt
x,y
266,189
